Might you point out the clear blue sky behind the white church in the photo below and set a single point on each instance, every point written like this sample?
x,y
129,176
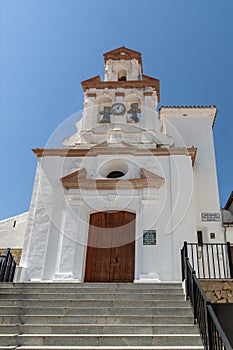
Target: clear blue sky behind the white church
x,y
49,46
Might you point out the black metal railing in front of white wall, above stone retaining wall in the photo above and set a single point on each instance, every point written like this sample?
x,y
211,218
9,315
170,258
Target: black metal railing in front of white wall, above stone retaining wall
x,y
209,260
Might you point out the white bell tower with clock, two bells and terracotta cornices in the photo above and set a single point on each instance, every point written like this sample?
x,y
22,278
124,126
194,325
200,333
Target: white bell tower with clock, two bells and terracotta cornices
x,y
122,106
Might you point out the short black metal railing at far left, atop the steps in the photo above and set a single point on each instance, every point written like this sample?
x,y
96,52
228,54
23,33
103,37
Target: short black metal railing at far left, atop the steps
x,y
7,266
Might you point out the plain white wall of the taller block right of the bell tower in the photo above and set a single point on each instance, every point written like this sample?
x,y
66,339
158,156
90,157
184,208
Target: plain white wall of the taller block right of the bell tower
x,y
197,131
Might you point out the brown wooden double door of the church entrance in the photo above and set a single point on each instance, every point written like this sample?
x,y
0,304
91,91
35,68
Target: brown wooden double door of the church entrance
x,y
111,247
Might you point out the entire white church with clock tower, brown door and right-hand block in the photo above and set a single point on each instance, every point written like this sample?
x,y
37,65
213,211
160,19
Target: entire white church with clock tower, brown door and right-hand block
x,y
118,200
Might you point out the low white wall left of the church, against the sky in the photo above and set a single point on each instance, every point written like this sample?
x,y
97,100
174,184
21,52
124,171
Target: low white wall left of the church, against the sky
x,y
12,231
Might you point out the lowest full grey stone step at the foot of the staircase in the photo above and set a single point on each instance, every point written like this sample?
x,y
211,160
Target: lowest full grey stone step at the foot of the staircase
x,y
101,340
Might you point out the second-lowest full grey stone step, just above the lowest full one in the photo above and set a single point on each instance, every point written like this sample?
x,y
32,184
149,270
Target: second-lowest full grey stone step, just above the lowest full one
x,y
98,329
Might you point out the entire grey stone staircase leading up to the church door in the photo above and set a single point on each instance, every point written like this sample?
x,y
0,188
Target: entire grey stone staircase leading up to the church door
x,y
95,316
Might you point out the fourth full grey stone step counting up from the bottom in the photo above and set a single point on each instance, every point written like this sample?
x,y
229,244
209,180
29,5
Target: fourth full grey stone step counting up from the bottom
x,y
149,311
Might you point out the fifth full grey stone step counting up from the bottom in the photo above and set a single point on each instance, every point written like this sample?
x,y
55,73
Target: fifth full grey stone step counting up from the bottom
x,y
93,303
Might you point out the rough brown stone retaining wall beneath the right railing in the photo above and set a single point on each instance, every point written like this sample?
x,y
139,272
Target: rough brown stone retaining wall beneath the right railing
x,y
218,291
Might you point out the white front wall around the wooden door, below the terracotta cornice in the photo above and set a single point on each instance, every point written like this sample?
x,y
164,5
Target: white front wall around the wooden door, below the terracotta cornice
x,y
56,238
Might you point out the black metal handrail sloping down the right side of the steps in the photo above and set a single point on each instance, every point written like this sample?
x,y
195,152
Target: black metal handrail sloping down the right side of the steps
x,y
212,334
